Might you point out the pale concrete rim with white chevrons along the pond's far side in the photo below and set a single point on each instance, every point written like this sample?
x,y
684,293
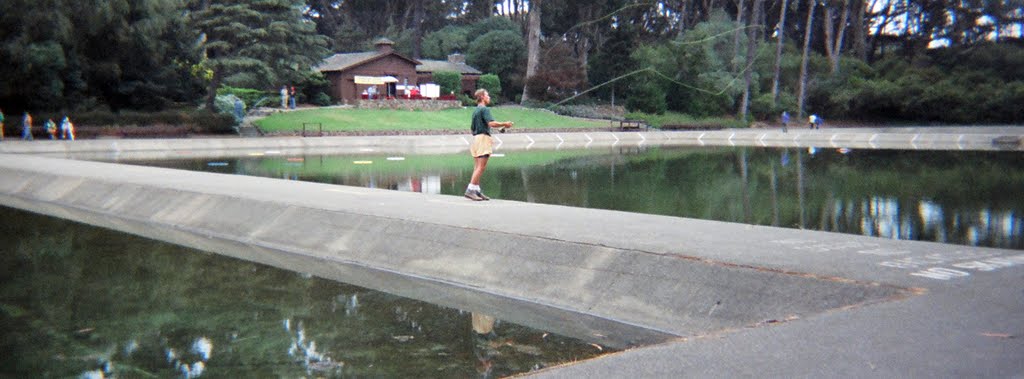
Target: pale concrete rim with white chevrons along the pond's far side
x,y
979,139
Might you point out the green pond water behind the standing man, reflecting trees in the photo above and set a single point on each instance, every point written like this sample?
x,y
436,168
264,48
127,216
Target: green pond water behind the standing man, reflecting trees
x,y
966,198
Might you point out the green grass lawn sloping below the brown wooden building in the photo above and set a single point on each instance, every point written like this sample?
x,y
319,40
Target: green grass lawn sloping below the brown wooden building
x,y
350,120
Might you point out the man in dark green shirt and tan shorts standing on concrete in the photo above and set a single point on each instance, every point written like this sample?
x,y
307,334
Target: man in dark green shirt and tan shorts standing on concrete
x,y
483,146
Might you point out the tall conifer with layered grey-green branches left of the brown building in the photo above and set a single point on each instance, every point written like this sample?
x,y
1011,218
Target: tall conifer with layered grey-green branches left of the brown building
x,y
268,37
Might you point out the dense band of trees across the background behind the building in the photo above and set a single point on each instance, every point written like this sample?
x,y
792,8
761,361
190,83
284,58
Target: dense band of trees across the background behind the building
x,y
936,61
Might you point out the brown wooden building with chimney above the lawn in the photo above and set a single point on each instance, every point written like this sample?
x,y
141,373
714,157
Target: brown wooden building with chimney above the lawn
x,y
381,72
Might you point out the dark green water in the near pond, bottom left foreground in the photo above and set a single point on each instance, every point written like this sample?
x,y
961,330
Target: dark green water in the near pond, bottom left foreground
x,y
83,302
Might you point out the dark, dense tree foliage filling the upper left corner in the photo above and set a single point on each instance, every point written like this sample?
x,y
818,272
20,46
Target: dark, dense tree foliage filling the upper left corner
x,y
84,54
